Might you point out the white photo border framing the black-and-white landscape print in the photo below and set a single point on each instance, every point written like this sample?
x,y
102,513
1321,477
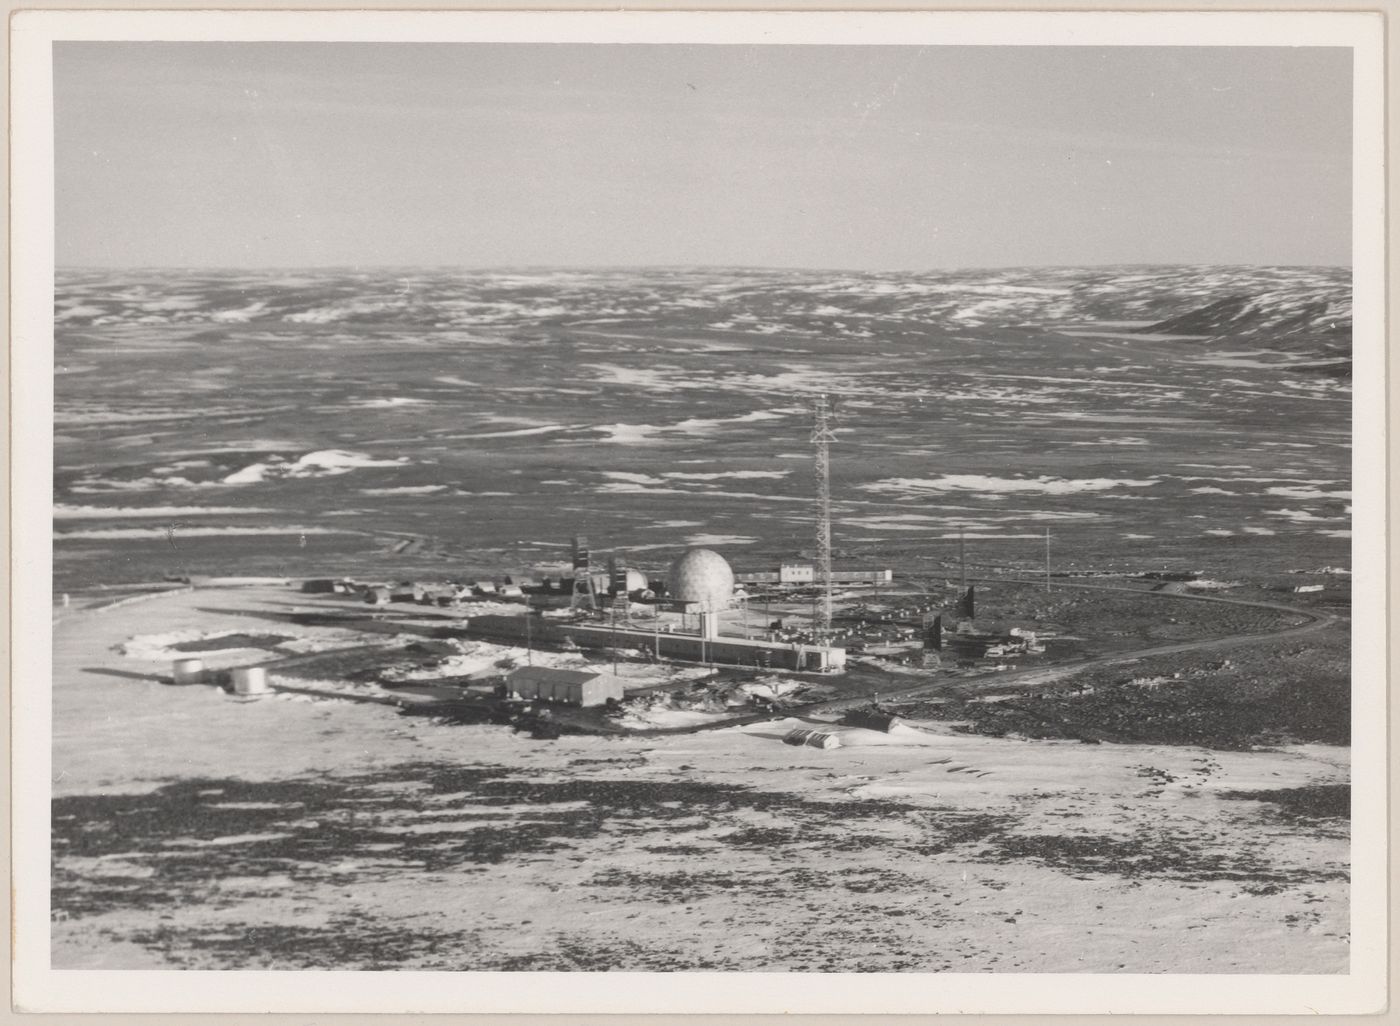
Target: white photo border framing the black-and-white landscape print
x,y
40,989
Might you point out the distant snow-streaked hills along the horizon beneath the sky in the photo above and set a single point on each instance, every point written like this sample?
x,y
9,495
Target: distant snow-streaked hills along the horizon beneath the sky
x,y
1297,309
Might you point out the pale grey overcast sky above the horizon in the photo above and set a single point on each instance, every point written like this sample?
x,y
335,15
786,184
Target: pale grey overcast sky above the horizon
x,y
857,157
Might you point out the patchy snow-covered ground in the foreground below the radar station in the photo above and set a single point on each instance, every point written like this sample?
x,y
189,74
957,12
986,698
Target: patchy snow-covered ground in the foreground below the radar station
x,y
338,835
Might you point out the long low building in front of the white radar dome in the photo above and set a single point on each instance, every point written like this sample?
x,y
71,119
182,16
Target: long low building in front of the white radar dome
x,y
664,646
